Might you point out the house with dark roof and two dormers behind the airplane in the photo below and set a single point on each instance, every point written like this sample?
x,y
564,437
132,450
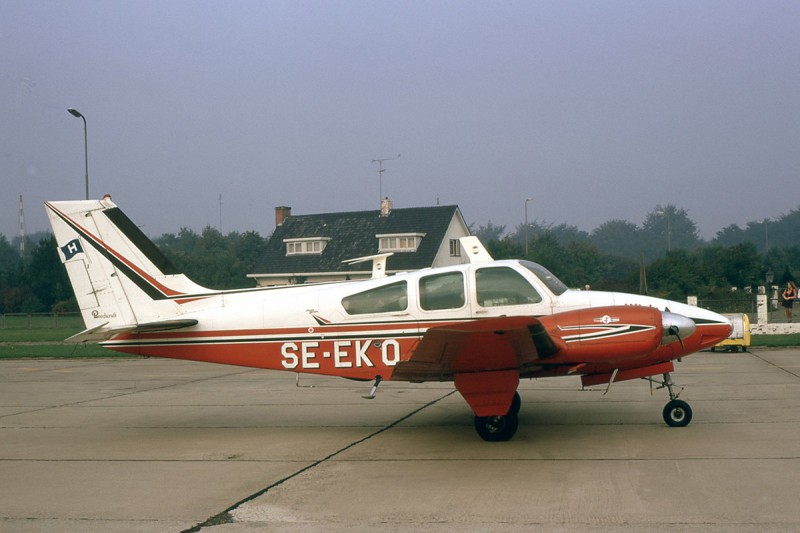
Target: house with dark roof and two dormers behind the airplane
x,y
313,248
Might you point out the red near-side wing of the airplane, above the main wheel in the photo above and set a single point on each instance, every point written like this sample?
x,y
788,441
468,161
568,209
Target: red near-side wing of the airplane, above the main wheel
x,y
483,345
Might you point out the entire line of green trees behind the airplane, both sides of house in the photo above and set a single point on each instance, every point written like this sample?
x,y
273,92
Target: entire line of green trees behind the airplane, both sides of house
x,y
664,257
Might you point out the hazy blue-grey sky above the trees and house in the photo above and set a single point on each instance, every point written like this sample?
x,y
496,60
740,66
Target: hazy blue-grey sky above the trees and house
x,y
596,110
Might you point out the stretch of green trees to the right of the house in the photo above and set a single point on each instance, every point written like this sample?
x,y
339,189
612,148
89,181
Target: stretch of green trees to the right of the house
x,y
665,256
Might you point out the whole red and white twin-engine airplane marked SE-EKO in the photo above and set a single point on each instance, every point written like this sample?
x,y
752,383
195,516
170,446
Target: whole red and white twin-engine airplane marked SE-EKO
x,y
485,324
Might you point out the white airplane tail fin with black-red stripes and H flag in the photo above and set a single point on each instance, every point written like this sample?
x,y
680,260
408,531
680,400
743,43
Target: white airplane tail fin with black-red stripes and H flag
x,y
121,280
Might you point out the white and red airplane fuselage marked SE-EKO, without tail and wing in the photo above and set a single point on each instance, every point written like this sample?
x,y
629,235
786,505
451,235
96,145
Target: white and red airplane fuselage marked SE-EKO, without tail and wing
x,y
363,329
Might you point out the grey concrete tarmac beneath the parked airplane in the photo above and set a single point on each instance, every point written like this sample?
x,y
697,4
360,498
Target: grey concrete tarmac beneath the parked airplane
x,y
157,445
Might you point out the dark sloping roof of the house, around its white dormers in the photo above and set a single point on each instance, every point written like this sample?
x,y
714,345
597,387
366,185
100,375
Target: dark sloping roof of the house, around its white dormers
x,y
352,235
